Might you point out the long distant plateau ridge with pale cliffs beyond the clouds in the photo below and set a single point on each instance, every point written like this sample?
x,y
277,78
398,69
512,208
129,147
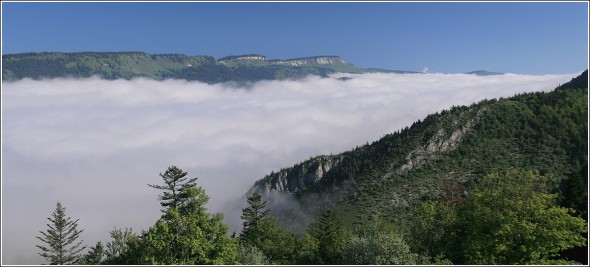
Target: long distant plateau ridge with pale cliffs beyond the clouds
x,y
128,65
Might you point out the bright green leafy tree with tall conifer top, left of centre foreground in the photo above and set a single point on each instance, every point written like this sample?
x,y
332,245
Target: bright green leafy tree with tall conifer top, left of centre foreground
x,y
186,233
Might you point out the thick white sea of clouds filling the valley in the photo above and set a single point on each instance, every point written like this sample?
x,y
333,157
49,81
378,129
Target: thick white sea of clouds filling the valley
x,y
94,144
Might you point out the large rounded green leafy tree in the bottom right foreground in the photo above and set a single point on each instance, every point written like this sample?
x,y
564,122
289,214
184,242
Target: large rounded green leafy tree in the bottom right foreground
x,y
511,218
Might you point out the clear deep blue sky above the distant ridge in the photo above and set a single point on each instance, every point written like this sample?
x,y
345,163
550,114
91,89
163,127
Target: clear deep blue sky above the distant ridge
x,y
527,38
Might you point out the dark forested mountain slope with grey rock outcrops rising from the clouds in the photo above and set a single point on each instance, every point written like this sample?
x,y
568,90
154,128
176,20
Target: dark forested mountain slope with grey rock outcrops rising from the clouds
x,y
440,157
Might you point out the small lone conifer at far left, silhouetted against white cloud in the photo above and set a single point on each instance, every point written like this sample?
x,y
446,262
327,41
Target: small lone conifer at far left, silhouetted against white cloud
x,y
61,239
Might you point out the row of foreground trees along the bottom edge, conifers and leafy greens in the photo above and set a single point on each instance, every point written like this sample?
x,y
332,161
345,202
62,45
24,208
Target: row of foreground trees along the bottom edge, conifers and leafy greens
x,y
511,217
